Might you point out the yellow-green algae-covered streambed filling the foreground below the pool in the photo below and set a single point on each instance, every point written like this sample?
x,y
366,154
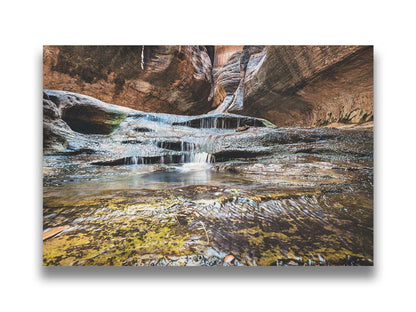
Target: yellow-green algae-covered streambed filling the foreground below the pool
x,y
156,226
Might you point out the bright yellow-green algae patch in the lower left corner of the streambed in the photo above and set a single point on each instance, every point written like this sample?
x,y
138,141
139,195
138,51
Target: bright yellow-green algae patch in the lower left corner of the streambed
x,y
113,245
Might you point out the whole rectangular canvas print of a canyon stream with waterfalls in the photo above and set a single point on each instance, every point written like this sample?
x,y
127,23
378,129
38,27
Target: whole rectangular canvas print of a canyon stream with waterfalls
x,y
207,155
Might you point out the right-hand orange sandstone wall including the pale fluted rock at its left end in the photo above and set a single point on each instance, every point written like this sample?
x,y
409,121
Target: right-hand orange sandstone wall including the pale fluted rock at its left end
x,y
298,85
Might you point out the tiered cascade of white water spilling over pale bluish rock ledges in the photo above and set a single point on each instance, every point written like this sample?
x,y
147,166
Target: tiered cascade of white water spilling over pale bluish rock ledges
x,y
174,139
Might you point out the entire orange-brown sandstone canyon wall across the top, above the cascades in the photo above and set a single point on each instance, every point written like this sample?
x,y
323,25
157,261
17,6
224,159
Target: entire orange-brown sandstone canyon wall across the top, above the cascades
x,y
288,85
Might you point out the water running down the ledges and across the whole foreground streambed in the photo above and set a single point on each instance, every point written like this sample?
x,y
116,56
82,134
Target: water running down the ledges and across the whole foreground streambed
x,y
162,197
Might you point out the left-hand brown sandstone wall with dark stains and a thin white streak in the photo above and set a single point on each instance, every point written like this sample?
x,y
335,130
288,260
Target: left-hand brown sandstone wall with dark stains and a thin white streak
x,y
170,79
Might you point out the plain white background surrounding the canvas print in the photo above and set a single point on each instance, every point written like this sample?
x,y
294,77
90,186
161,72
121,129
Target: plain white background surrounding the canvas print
x,y
27,25
